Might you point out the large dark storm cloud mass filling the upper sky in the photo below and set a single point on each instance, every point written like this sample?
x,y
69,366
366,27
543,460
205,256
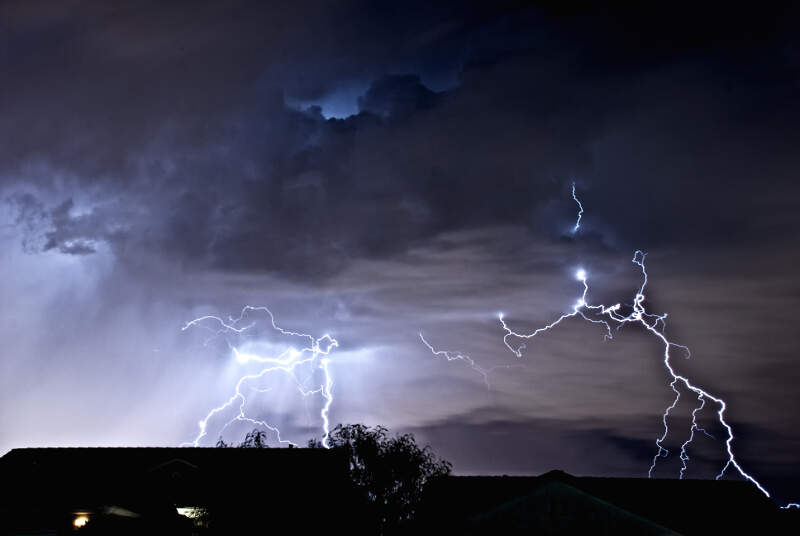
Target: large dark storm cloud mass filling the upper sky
x,y
184,114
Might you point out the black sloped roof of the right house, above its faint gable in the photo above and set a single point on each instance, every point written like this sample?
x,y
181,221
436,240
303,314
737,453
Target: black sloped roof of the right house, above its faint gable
x,y
684,506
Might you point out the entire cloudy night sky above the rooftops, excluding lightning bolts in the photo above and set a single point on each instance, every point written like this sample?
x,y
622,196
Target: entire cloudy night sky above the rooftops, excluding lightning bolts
x,y
374,171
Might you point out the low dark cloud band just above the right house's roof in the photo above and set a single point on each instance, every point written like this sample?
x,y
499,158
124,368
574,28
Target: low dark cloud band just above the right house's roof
x,y
516,444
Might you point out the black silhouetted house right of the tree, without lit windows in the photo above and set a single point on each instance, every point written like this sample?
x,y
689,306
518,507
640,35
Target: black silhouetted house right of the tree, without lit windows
x,y
559,503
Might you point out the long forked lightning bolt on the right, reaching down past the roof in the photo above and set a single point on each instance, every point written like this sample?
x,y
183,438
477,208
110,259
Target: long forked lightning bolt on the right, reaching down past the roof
x,y
656,325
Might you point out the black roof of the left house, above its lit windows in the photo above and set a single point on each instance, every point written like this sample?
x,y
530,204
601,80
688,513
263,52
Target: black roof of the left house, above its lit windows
x,y
180,475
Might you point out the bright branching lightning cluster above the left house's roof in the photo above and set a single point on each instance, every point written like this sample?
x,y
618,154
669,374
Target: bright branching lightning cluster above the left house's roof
x,y
314,355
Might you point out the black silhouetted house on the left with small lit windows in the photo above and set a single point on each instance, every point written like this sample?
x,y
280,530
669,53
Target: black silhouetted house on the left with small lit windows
x,y
139,490
